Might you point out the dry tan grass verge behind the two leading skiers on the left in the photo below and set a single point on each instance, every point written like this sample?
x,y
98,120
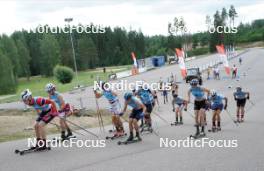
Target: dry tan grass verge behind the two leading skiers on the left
x,y
17,124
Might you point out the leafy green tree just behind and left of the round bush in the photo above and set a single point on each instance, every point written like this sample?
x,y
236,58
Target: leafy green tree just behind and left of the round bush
x,y
50,52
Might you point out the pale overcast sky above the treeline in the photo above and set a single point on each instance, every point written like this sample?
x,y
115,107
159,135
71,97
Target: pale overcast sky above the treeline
x,y
151,16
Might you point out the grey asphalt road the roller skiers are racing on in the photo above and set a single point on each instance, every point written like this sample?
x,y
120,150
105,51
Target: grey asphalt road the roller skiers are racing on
x,y
148,155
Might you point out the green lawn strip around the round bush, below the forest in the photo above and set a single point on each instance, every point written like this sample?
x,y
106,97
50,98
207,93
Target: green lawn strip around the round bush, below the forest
x,y
37,83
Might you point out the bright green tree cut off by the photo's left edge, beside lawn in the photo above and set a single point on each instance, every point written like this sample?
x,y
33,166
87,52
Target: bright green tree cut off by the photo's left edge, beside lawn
x,y
7,79
